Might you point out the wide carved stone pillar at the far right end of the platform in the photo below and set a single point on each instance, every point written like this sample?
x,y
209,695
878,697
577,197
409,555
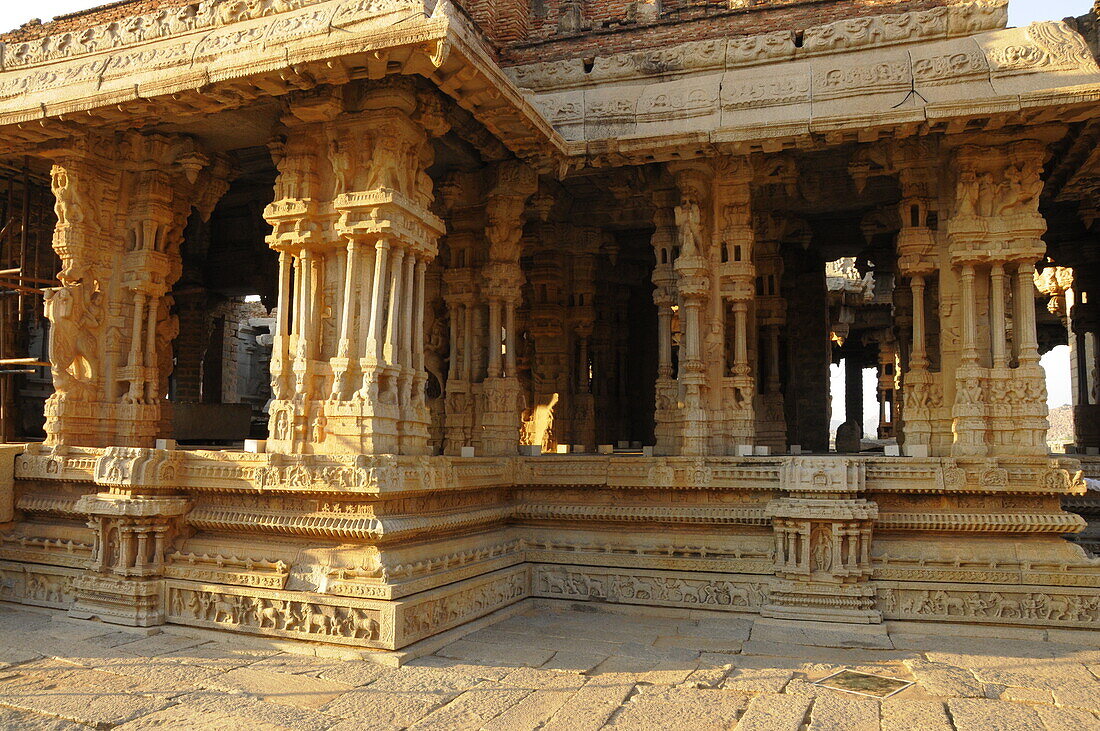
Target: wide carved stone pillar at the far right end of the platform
x,y
994,239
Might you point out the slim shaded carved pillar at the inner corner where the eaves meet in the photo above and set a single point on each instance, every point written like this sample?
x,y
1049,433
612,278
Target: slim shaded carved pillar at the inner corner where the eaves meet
x,y
513,184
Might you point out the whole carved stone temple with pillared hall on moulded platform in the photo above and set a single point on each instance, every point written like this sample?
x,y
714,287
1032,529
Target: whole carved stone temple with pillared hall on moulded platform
x,y
359,320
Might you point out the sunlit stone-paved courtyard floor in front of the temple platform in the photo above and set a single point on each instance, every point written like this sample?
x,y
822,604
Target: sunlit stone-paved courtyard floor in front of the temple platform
x,y
553,669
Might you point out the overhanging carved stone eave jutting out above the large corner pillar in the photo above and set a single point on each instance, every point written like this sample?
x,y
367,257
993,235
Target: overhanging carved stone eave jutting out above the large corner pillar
x,y
442,48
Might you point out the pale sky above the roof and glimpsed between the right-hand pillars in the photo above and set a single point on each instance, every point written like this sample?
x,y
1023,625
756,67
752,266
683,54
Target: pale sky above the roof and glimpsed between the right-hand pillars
x,y
1021,13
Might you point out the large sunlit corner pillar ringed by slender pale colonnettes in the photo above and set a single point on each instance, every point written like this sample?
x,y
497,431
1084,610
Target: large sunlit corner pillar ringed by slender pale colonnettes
x,y
361,165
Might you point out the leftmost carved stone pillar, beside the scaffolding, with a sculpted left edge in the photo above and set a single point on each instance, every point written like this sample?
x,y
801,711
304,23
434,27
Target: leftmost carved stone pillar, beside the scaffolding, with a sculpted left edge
x,y
123,204
